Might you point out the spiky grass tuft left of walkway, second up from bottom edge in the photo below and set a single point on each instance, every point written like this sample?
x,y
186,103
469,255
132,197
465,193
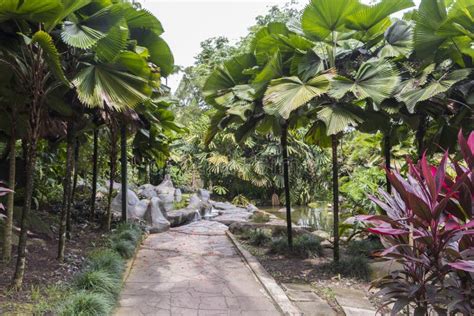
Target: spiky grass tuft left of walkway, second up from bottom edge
x,y
98,281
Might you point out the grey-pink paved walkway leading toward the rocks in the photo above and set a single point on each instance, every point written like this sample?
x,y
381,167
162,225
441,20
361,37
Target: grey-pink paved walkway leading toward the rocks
x,y
192,270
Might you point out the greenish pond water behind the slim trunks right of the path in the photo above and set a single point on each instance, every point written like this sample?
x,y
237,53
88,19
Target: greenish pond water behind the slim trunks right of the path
x,y
317,217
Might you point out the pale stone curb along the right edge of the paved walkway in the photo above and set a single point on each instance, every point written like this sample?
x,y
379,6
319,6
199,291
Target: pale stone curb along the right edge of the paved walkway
x,y
274,290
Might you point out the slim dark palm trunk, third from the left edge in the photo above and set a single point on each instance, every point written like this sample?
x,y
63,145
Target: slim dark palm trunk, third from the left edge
x,y
66,205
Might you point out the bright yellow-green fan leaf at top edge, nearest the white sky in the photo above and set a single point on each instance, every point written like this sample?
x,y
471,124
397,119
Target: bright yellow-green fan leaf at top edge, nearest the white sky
x,y
322,17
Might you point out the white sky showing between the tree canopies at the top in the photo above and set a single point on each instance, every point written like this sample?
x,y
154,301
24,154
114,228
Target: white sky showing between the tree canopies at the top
x,y
189,22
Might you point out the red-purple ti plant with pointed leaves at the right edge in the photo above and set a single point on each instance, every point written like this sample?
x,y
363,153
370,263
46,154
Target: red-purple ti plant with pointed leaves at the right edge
x,y
429,230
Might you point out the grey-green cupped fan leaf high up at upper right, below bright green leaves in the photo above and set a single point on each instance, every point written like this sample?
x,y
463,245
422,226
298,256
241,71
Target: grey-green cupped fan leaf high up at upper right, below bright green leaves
x,y
398,40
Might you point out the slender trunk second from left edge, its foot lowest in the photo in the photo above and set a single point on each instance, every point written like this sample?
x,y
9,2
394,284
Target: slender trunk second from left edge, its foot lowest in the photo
x,y
30,168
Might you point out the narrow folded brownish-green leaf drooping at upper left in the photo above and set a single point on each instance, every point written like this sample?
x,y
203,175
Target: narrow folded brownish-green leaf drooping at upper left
x,y
51,55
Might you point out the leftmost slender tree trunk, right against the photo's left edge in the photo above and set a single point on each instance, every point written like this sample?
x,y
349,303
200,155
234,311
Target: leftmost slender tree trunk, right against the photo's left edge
x,y
7,240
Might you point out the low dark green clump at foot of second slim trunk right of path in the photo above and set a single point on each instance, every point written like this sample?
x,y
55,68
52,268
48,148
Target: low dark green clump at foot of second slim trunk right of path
x,y
353,267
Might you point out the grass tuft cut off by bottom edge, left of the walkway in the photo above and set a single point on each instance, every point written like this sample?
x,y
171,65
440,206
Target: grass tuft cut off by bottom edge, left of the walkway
x,y
86,304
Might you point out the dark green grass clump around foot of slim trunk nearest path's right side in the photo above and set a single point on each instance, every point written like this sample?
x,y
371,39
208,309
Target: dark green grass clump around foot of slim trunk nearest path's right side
x,y
304,246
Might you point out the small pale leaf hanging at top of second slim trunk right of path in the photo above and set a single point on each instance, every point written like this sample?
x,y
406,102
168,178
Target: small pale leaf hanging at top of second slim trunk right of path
x,y
337,118
